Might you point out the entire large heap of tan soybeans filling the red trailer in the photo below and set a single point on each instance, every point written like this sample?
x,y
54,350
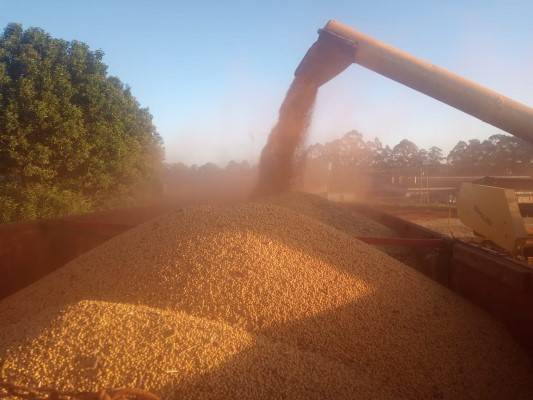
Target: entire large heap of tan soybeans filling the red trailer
x,y
252,301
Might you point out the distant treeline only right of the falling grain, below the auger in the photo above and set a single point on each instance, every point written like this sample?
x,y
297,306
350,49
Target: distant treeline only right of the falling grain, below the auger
x,y
497,155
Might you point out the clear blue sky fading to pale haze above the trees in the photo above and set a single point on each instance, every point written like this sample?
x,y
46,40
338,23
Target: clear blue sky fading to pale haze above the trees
x,y
214,73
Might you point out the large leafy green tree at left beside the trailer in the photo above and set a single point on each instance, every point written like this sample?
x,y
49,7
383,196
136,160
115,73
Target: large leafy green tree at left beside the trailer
x,y
72,138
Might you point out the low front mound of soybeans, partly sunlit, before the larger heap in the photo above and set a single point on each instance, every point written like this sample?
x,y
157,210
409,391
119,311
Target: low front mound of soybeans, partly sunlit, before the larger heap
x,y
95,343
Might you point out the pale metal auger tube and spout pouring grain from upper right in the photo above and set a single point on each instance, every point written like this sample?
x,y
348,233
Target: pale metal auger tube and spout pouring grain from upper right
x,y
339,45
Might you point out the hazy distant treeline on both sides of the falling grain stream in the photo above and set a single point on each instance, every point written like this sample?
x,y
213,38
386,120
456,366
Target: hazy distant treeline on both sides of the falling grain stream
x,y
350,162
